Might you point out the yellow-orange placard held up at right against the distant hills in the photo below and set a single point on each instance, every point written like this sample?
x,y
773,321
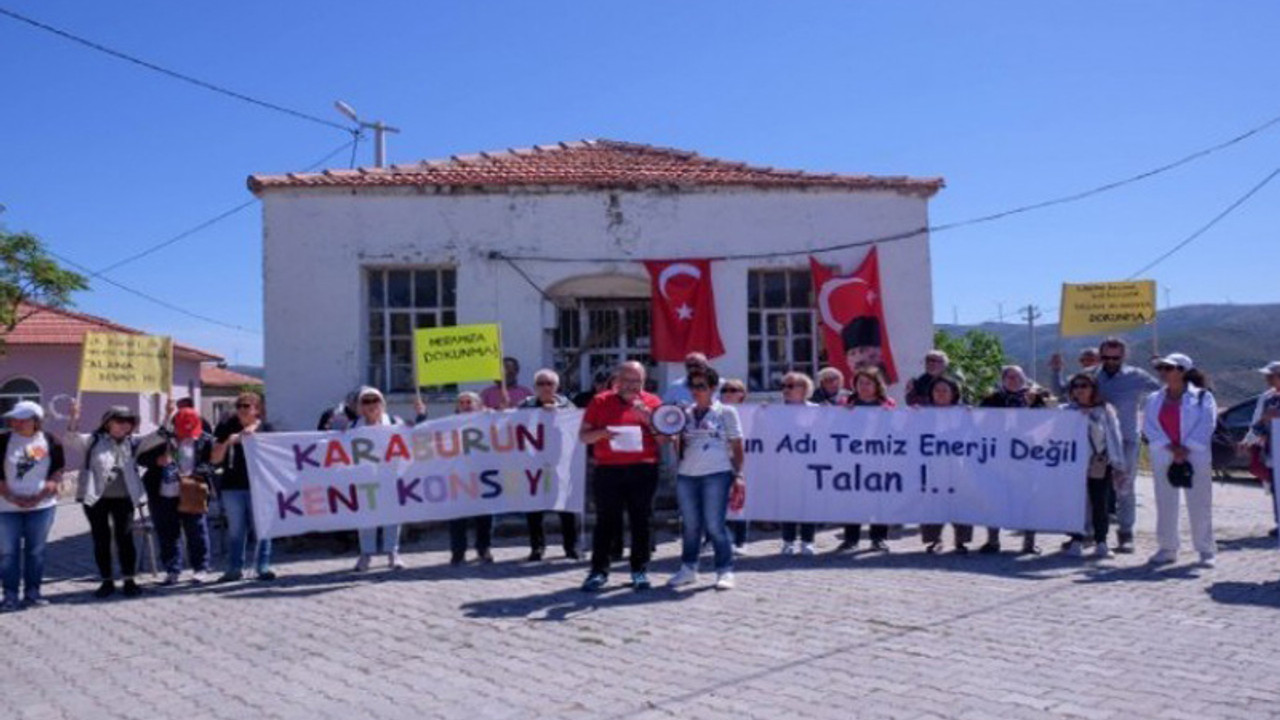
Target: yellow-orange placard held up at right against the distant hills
x,y
1108,307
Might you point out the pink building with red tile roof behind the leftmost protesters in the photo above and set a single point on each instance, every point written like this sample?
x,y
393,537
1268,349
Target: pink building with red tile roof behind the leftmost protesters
x,y
42,363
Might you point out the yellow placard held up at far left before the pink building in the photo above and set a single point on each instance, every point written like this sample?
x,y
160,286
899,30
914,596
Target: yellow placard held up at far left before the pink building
x,y
127,363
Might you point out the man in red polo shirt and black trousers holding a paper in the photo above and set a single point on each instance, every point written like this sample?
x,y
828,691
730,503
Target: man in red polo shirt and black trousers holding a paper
x,y
627,472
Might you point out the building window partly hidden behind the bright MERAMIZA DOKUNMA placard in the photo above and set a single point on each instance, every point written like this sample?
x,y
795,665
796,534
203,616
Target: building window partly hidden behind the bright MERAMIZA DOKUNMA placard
x,y
399,303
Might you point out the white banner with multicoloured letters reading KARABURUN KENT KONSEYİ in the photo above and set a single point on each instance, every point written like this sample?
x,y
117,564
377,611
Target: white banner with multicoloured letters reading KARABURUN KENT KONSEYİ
x,y
456,467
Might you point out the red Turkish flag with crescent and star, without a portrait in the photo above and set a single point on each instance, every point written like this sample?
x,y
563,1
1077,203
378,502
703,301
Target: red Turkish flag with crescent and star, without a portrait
x,y
684,309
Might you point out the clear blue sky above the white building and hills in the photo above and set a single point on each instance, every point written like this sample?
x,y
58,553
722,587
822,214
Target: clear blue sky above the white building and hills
x,y
1013,103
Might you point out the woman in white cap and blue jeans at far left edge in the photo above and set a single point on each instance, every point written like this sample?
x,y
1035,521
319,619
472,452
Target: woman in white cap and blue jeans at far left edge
x,y
31,467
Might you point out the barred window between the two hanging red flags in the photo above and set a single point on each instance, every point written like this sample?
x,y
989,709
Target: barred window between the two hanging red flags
x,y
780,327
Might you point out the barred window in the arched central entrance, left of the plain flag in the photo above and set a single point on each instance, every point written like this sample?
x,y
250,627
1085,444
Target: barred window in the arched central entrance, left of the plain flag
x,y
598,335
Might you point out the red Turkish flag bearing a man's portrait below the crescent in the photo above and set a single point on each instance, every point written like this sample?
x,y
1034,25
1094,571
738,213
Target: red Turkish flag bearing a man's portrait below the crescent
x,y
852,312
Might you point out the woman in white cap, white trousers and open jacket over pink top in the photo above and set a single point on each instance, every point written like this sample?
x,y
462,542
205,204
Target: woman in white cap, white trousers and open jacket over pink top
x,y
1180,422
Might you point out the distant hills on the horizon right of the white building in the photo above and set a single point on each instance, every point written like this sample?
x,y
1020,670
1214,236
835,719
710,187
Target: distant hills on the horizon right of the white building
x,y
1231,343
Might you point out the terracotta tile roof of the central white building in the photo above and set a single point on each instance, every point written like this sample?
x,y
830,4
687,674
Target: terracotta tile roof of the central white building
x,y
595,165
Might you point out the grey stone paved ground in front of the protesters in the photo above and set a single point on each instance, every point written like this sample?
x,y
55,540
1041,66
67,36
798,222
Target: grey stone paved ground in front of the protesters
x,y
839,636
